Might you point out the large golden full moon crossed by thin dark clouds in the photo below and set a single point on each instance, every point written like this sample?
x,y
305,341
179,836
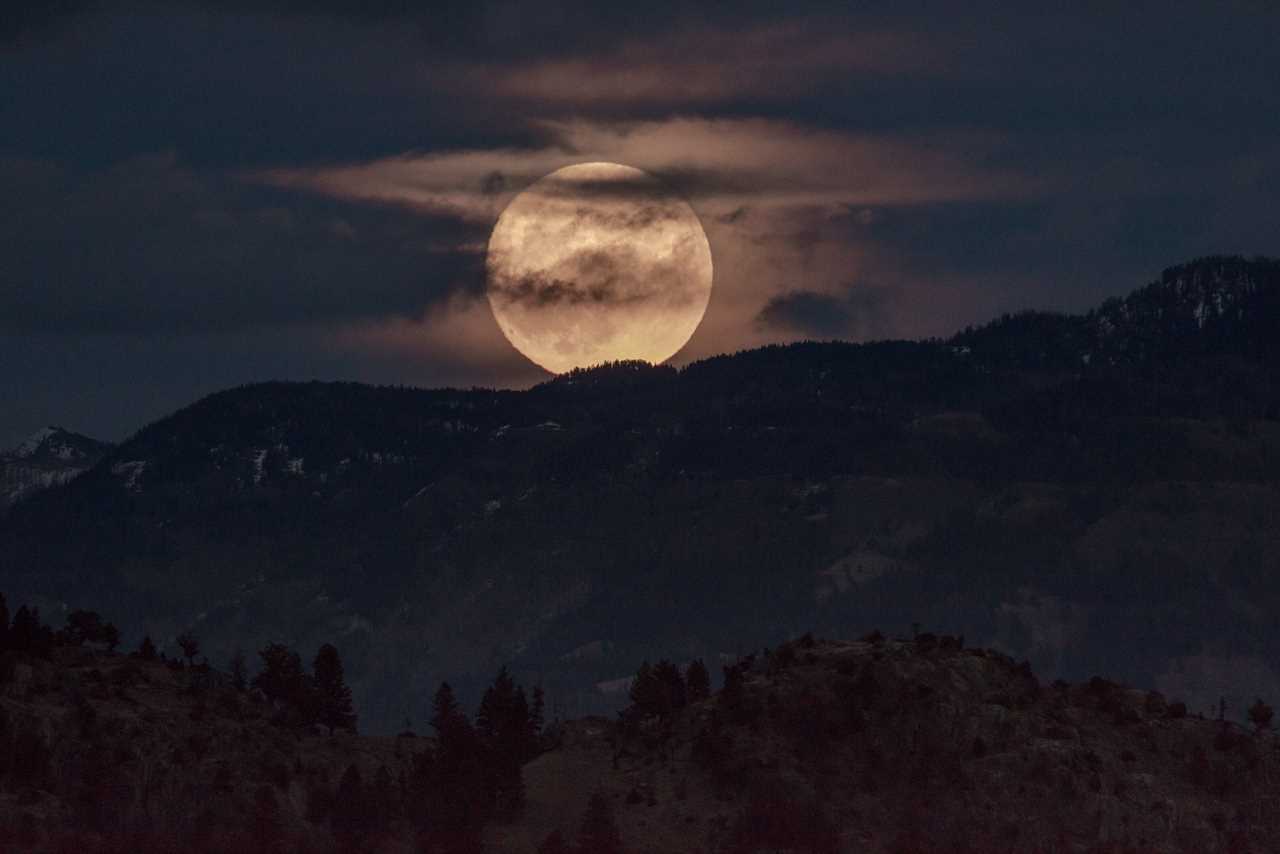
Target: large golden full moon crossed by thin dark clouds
x,y
596,263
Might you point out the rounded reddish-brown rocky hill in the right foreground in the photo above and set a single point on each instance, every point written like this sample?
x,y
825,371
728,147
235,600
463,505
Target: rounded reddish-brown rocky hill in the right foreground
x,y
912,747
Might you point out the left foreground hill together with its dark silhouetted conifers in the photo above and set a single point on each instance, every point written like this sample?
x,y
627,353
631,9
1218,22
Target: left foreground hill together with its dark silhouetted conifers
x,y
149,752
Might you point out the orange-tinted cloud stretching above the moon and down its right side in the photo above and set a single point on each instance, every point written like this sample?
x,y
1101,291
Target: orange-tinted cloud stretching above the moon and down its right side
x,y
788,209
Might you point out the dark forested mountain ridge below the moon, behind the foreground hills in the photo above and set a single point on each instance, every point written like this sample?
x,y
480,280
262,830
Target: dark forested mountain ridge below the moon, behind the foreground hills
x,y
1094,492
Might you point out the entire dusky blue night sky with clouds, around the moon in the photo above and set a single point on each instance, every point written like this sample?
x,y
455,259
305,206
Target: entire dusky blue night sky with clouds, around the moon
x,y
195,197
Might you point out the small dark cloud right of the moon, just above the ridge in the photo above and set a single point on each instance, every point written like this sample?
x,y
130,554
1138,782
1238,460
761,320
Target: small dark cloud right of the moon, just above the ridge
x,y
861,313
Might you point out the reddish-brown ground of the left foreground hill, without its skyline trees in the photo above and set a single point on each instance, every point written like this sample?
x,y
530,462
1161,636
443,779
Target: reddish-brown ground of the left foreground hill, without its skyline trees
x,y
106,753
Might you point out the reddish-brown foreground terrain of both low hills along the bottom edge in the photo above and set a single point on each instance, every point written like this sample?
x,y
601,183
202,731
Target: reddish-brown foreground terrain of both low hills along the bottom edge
x,y
817,747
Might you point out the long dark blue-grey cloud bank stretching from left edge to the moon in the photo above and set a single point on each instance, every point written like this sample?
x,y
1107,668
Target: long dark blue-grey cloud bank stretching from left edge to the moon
x,y
152,246
